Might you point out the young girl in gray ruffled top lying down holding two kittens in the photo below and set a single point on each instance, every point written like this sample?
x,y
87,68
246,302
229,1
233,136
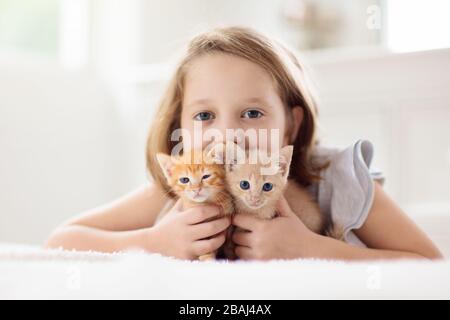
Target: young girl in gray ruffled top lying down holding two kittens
x,y
235,78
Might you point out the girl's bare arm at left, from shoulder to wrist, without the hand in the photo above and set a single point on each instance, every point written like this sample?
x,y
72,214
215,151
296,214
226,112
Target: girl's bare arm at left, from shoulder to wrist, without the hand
x,y
123,224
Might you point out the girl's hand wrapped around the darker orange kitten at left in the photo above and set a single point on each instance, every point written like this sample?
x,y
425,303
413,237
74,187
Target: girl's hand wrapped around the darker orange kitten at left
x,y
182,234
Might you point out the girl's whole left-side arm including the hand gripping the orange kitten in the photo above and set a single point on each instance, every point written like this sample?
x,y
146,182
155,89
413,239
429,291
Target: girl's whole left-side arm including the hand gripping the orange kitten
x,y
129,223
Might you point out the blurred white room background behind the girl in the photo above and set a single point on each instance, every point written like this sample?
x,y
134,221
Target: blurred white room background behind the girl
x,y
80,80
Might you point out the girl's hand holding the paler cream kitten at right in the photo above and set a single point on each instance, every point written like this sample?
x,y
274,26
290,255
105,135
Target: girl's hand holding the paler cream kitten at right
x,y
283,237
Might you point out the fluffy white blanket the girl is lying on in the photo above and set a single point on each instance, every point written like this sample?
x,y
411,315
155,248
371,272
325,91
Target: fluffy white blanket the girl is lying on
x,y
31,272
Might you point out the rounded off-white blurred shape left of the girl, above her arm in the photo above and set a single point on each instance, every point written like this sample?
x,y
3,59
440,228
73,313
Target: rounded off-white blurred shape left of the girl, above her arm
x,y
63,148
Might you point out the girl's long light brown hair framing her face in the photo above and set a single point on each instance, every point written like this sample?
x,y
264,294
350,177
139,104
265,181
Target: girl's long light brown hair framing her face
x,y
280,63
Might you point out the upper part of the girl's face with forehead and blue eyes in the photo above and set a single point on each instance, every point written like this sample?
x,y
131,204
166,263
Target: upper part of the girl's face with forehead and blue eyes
x,y
228,92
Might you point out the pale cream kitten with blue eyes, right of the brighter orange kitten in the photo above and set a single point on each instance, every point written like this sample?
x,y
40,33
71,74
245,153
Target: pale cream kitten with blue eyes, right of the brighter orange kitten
x,y
257,194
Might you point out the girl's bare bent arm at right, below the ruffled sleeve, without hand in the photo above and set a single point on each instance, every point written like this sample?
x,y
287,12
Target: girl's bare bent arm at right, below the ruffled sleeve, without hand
x,y
388,233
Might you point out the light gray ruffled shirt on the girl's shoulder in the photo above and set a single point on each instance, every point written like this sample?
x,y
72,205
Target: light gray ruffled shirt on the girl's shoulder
x,y
346,190
